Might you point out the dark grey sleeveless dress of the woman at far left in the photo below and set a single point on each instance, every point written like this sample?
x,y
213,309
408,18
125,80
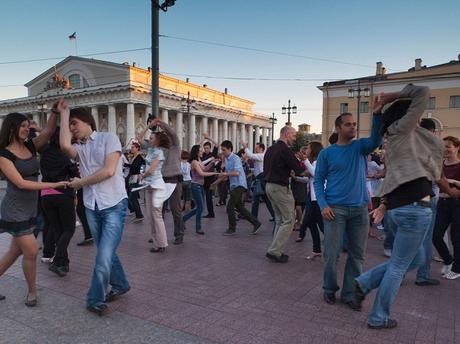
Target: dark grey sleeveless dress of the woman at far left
x,y
18,210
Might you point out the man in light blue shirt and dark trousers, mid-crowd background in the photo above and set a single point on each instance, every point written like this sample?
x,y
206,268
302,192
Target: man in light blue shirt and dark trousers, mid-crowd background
x,y
234,171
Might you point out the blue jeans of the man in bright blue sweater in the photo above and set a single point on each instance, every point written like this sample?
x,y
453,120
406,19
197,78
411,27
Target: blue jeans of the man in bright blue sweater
x,y
354,223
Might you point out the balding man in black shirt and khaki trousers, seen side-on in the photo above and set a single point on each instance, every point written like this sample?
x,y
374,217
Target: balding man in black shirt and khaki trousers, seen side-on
x,y
279,161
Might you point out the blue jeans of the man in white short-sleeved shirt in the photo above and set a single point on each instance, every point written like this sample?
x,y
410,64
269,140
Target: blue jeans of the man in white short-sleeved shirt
x,y
107,228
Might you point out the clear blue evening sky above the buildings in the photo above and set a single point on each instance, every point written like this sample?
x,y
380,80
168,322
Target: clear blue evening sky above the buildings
x,y
355,33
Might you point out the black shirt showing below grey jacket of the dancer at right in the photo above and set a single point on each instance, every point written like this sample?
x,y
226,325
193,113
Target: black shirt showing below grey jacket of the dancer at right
x,y
408,193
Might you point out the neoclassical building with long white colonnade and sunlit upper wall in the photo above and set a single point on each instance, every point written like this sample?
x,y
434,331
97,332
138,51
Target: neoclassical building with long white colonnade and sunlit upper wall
x,y
119,96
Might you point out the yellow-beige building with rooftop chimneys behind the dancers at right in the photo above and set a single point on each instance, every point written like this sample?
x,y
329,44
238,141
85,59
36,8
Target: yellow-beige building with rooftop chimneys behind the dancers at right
x,y
443,107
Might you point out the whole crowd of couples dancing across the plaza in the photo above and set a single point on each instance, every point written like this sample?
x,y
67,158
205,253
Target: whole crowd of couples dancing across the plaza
x,y
402,179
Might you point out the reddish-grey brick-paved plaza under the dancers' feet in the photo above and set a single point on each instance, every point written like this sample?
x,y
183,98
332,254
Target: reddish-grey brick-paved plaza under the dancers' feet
x,y
216,289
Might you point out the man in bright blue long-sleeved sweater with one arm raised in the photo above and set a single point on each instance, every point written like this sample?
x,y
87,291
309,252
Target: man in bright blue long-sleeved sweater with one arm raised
x,y
340,186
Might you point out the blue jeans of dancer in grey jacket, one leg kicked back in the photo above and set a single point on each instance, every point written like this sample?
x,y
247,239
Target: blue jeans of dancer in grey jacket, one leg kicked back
x,y
412,222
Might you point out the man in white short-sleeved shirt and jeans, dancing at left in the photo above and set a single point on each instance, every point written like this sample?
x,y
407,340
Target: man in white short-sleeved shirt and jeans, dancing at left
x,y
104,197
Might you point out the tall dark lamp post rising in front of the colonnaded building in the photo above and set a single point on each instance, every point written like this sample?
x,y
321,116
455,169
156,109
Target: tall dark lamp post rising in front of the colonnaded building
x,y
156,7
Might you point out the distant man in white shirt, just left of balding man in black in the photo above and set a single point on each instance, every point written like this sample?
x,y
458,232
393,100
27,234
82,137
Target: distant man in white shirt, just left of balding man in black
x,y
258,158
